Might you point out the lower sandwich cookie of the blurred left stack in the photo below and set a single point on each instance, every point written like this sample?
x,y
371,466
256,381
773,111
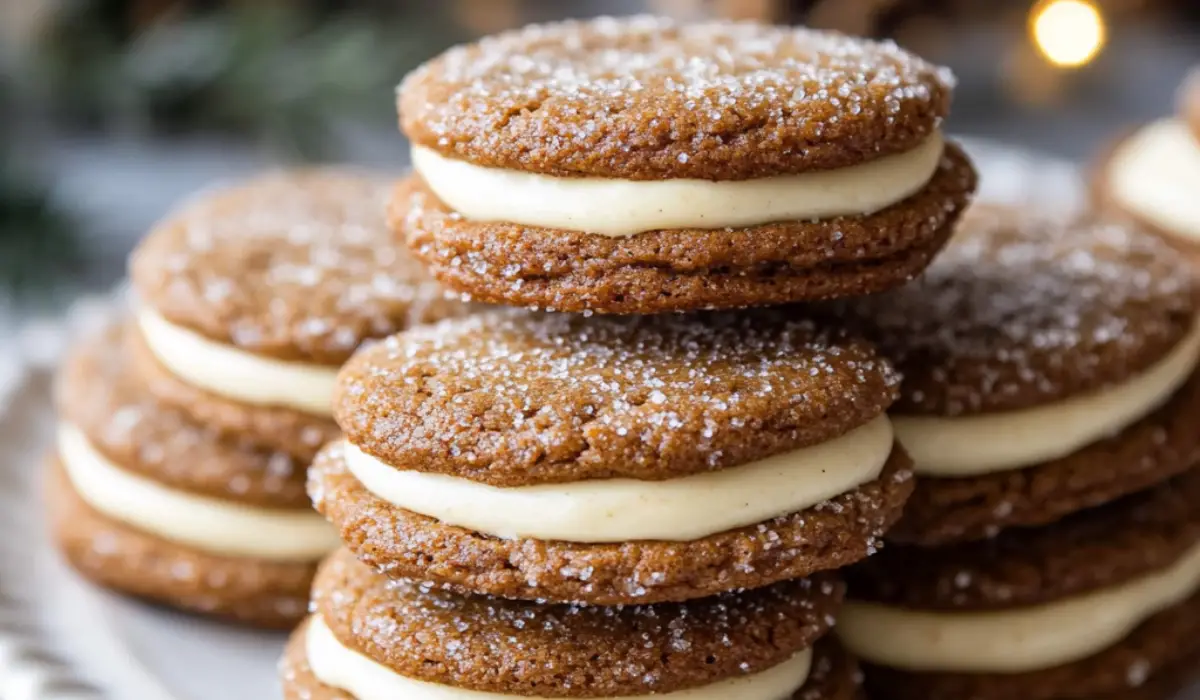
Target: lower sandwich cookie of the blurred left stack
x,y
147,502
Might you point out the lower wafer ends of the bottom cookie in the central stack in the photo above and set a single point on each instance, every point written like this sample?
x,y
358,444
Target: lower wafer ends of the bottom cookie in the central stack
x,y
835,674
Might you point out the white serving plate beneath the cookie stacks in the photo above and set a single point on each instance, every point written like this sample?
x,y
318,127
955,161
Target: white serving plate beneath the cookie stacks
x,y
63,639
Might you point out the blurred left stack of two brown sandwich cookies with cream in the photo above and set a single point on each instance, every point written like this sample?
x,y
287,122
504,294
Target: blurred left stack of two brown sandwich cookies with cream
x,y
179,472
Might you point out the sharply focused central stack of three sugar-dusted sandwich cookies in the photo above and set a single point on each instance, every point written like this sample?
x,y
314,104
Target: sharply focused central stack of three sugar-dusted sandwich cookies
x,y
613,504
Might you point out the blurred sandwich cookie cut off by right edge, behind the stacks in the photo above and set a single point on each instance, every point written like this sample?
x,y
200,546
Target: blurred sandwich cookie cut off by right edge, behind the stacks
x,y
1151,176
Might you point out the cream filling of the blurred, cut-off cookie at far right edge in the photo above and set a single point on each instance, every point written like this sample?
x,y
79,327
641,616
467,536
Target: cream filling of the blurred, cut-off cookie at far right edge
x,y
1156,175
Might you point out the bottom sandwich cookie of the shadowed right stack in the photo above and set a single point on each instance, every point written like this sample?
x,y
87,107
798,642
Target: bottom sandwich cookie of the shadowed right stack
x,y
1102,606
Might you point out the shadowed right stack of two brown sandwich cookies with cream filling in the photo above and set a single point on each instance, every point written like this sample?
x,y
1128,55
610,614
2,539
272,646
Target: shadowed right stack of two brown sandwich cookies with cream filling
x,y
1051,404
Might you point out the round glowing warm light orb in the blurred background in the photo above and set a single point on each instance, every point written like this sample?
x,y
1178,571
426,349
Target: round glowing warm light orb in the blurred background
x,y
1069,33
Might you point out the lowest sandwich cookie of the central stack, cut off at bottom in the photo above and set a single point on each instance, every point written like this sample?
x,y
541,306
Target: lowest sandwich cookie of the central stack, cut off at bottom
x,y
373,639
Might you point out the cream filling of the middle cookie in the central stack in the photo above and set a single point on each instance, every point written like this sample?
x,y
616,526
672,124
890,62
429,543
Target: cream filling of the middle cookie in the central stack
x,y
626,510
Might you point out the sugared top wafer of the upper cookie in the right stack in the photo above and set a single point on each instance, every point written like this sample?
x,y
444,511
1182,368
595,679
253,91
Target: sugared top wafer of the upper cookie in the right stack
x,y
1022,310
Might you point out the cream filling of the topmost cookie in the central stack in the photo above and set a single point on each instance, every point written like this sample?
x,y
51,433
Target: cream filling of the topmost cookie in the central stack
x,y
619,208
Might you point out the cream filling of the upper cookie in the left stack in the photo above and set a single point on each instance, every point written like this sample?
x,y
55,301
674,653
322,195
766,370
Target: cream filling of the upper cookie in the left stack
x,y
237,374
